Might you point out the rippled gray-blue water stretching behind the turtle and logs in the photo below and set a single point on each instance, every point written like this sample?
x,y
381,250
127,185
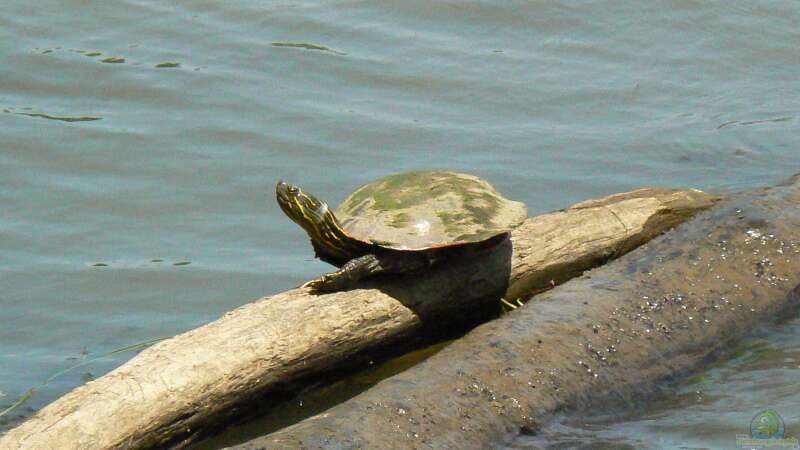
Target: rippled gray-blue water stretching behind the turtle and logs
x,y
140,141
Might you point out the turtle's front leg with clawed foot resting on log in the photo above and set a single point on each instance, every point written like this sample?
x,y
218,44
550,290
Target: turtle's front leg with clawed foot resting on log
x,y
366,266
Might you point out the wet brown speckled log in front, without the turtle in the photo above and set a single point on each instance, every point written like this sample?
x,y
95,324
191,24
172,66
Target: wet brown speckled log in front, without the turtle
x,y
605,341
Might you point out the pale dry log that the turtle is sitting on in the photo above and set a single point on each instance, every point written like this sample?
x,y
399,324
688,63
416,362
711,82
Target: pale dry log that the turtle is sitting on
x,y
180,390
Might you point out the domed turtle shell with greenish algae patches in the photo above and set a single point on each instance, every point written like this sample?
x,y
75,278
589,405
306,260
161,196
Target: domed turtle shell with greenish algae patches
x,y
423,210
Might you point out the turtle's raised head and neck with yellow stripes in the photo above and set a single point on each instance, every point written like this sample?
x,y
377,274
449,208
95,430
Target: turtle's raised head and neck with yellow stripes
x,y
316,218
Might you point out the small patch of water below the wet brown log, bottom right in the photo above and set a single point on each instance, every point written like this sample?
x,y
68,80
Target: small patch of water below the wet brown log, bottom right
x,y
706,412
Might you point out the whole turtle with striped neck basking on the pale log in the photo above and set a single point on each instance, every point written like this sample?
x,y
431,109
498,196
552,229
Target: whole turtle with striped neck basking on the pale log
x,y
400,223
